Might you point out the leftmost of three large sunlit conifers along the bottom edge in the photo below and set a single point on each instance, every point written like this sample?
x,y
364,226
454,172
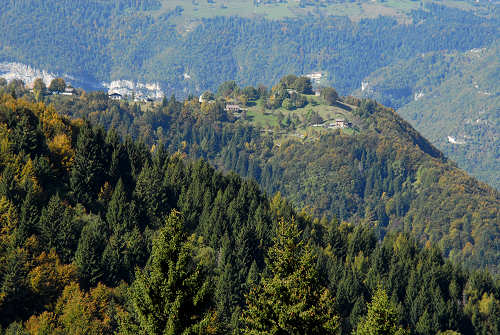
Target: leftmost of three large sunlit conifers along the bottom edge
x,y
173,294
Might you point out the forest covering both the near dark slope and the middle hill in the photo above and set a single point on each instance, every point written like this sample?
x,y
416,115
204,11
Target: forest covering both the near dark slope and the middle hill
x,y
109,229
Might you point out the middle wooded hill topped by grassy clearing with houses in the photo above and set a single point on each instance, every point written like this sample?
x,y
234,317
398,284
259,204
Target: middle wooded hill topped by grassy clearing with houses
x,y
372,167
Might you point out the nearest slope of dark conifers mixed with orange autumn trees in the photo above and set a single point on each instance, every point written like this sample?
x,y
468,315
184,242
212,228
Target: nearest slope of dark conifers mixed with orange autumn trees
x,y
103,236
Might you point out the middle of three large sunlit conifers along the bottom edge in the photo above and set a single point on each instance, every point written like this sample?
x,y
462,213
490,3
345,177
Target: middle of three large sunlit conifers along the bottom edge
x,y
292,300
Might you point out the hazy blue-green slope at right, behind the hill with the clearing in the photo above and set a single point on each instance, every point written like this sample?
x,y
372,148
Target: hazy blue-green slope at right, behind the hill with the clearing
x,y
453,99
